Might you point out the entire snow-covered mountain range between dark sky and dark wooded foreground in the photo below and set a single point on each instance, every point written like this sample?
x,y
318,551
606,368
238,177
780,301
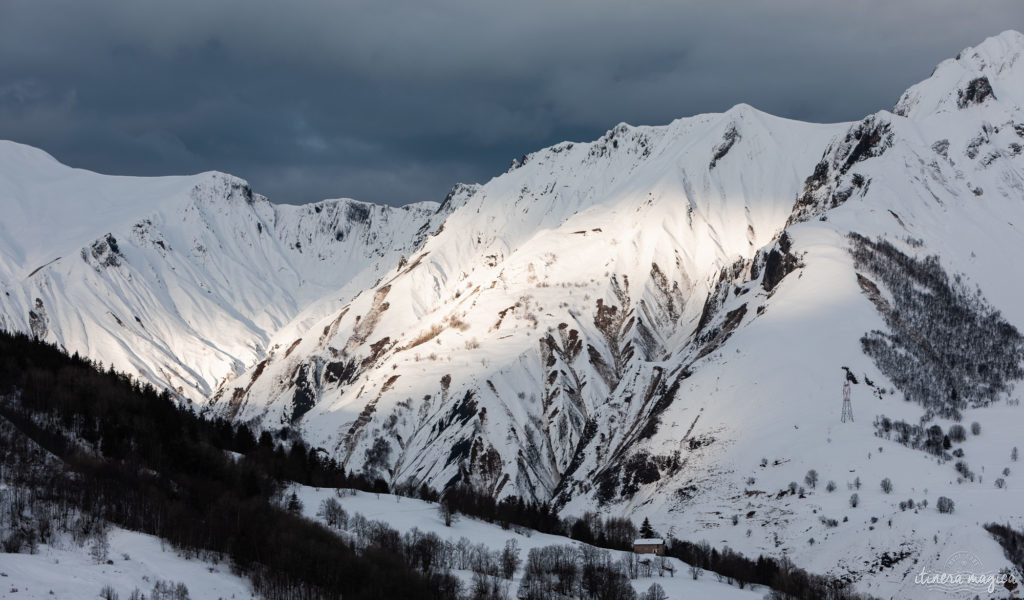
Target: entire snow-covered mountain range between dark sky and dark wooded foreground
x,y
656,324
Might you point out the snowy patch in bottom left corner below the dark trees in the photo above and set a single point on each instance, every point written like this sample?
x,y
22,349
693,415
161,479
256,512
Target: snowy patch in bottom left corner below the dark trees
x,y
70,573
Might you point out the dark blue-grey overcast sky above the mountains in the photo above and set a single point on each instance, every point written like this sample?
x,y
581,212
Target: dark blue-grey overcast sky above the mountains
x,y
395,101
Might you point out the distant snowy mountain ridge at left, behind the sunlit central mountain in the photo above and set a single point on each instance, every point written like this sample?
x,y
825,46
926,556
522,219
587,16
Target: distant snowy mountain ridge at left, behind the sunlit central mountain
x,y
182,281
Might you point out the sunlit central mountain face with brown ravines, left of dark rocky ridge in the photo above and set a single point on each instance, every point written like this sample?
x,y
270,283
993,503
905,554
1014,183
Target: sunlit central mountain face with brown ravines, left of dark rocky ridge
x,y
549,295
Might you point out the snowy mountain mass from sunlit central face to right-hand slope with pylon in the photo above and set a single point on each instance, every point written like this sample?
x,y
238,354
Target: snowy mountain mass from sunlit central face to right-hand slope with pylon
x,y
636,323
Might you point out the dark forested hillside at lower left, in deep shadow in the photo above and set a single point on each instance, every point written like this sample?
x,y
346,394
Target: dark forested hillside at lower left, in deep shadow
x,y
137,460
